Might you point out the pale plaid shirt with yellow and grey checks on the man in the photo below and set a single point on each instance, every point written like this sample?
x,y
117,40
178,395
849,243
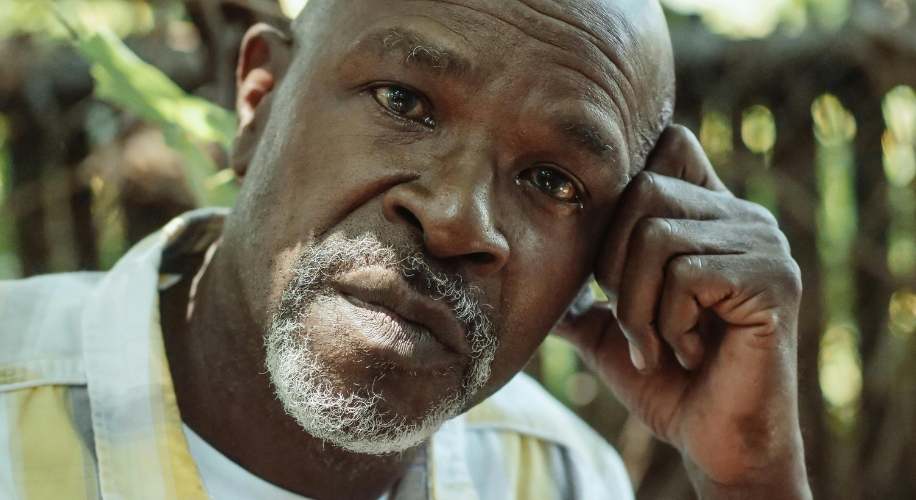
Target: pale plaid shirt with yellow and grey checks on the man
x,y
88,410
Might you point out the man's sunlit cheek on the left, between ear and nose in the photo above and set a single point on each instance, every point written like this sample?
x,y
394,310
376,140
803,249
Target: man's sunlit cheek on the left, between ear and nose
x,y
310,173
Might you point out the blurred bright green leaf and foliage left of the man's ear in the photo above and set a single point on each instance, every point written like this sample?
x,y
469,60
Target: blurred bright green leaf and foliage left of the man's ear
x,y
96,27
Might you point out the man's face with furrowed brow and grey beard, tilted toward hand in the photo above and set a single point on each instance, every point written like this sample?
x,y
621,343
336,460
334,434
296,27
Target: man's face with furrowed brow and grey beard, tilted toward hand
x,y
433,181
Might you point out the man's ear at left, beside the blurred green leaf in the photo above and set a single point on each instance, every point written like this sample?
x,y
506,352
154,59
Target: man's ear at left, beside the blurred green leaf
x,y
263,60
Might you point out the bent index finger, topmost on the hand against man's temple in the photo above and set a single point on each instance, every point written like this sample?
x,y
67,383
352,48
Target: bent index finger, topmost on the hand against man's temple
x,y
679,154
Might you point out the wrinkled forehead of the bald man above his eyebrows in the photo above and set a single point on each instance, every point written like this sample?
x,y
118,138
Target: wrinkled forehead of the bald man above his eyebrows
x,y
591,36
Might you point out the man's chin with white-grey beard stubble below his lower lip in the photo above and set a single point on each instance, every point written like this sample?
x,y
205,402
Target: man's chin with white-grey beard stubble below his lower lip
x,y
349,396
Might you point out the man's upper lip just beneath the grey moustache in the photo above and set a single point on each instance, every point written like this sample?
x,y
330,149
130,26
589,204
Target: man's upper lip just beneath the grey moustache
x,y
387,288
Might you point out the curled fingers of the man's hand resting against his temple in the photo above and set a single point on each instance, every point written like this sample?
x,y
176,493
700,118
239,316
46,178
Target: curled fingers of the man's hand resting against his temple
x,y
676,214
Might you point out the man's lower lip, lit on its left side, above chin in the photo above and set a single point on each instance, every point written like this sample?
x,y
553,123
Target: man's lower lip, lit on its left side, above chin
x,y
408,344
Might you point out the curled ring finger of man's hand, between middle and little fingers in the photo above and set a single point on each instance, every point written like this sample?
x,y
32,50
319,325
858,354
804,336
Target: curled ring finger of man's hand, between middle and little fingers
x,y
655,243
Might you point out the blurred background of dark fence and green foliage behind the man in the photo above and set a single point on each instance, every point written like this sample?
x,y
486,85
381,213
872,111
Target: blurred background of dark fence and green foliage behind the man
x,y
115,117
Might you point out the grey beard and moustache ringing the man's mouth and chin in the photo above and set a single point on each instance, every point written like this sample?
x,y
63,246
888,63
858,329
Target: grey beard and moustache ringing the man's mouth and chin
x,y
353,419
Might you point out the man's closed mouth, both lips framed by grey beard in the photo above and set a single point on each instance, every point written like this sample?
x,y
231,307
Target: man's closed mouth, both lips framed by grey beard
x,y
404,315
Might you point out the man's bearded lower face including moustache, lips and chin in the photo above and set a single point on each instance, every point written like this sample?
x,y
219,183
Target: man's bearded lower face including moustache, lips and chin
x,y
363,374
